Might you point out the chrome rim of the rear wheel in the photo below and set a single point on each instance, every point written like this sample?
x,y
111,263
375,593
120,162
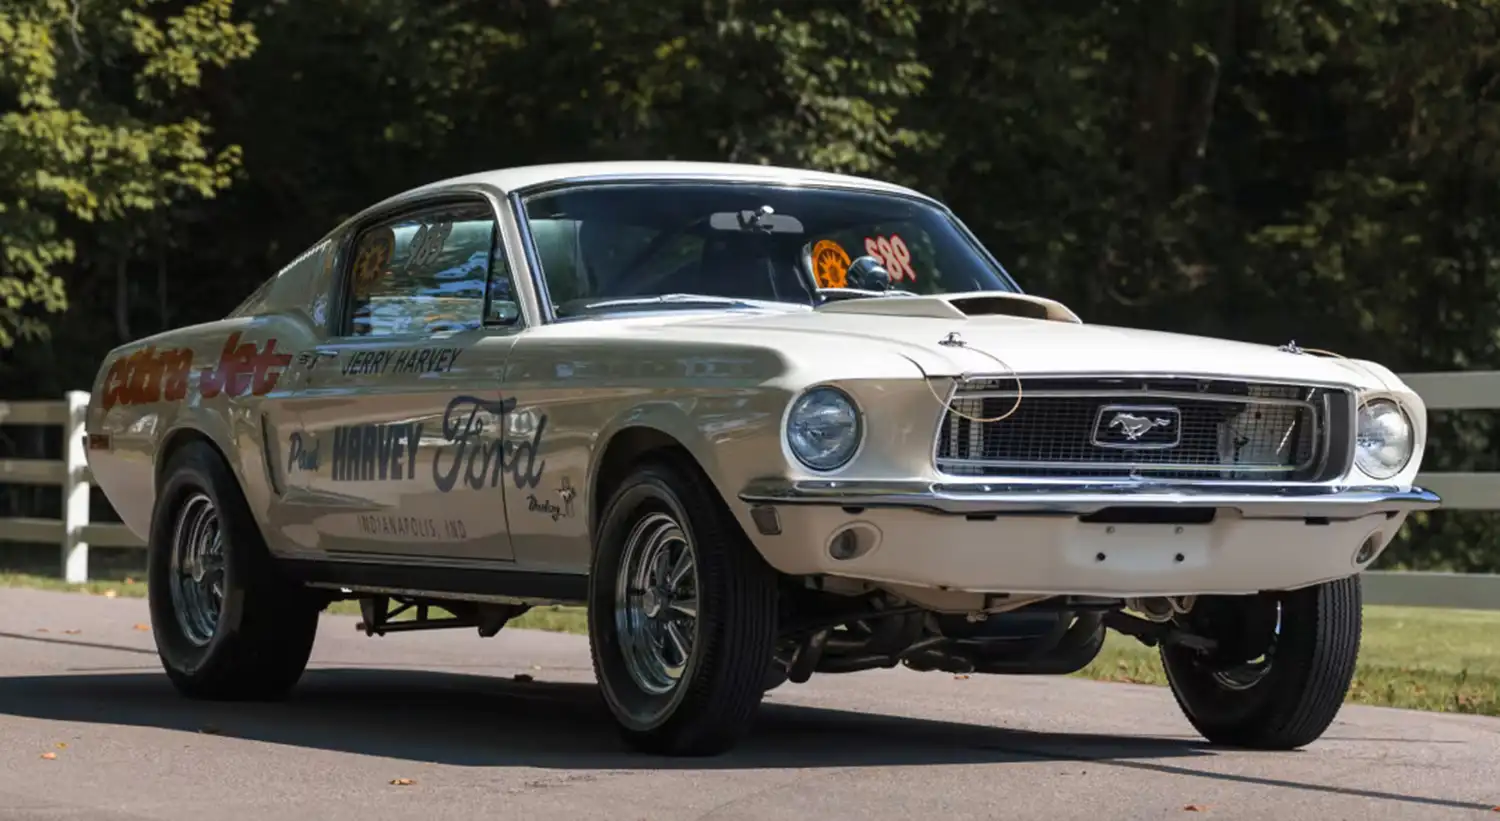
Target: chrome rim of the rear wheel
x,y
196,577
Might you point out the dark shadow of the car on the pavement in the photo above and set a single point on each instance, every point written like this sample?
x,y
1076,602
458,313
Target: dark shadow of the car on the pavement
x,y
481,721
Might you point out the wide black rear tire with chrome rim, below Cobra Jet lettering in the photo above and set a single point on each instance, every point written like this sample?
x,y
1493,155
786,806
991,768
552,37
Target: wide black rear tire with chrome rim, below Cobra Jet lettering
x,y
227,624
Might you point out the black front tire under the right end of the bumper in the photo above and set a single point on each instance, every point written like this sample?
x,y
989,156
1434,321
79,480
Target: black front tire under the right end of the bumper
x,y
1288,699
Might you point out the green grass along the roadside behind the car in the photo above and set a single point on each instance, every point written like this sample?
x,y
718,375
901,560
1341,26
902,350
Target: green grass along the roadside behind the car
x,y
1432,660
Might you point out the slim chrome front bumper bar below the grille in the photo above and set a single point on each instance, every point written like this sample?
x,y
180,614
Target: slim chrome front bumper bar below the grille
x,y
1262,502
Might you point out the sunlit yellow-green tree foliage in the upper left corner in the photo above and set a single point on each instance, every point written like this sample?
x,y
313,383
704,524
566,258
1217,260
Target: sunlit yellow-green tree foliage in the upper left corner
x,y
94,131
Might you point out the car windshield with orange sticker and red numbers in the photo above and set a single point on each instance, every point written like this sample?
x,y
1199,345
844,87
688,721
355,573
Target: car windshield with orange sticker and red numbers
x,y
628,244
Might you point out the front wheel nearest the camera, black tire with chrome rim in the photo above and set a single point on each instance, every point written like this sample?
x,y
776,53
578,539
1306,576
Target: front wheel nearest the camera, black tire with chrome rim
x,y
682,615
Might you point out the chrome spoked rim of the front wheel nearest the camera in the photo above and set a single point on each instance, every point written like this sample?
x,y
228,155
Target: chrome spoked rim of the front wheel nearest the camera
x,y
656,604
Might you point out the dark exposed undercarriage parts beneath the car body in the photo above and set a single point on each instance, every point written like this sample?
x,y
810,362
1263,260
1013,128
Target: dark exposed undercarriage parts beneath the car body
x,y
832,633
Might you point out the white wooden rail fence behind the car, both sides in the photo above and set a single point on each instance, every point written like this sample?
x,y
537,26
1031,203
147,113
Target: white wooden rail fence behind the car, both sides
x,y
76,534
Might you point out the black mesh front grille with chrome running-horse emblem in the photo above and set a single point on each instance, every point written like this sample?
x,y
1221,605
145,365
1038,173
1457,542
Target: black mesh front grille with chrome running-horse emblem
x,y
1156,427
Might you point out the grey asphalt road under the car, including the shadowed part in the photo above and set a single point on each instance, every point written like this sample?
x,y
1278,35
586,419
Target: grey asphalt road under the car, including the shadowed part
x,y
445,711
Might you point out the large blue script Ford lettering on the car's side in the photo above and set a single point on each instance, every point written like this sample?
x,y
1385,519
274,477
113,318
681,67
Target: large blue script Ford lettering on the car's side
x,y
478,463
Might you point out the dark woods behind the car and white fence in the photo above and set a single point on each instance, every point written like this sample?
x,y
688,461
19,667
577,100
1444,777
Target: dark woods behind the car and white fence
x,y
1261,170
